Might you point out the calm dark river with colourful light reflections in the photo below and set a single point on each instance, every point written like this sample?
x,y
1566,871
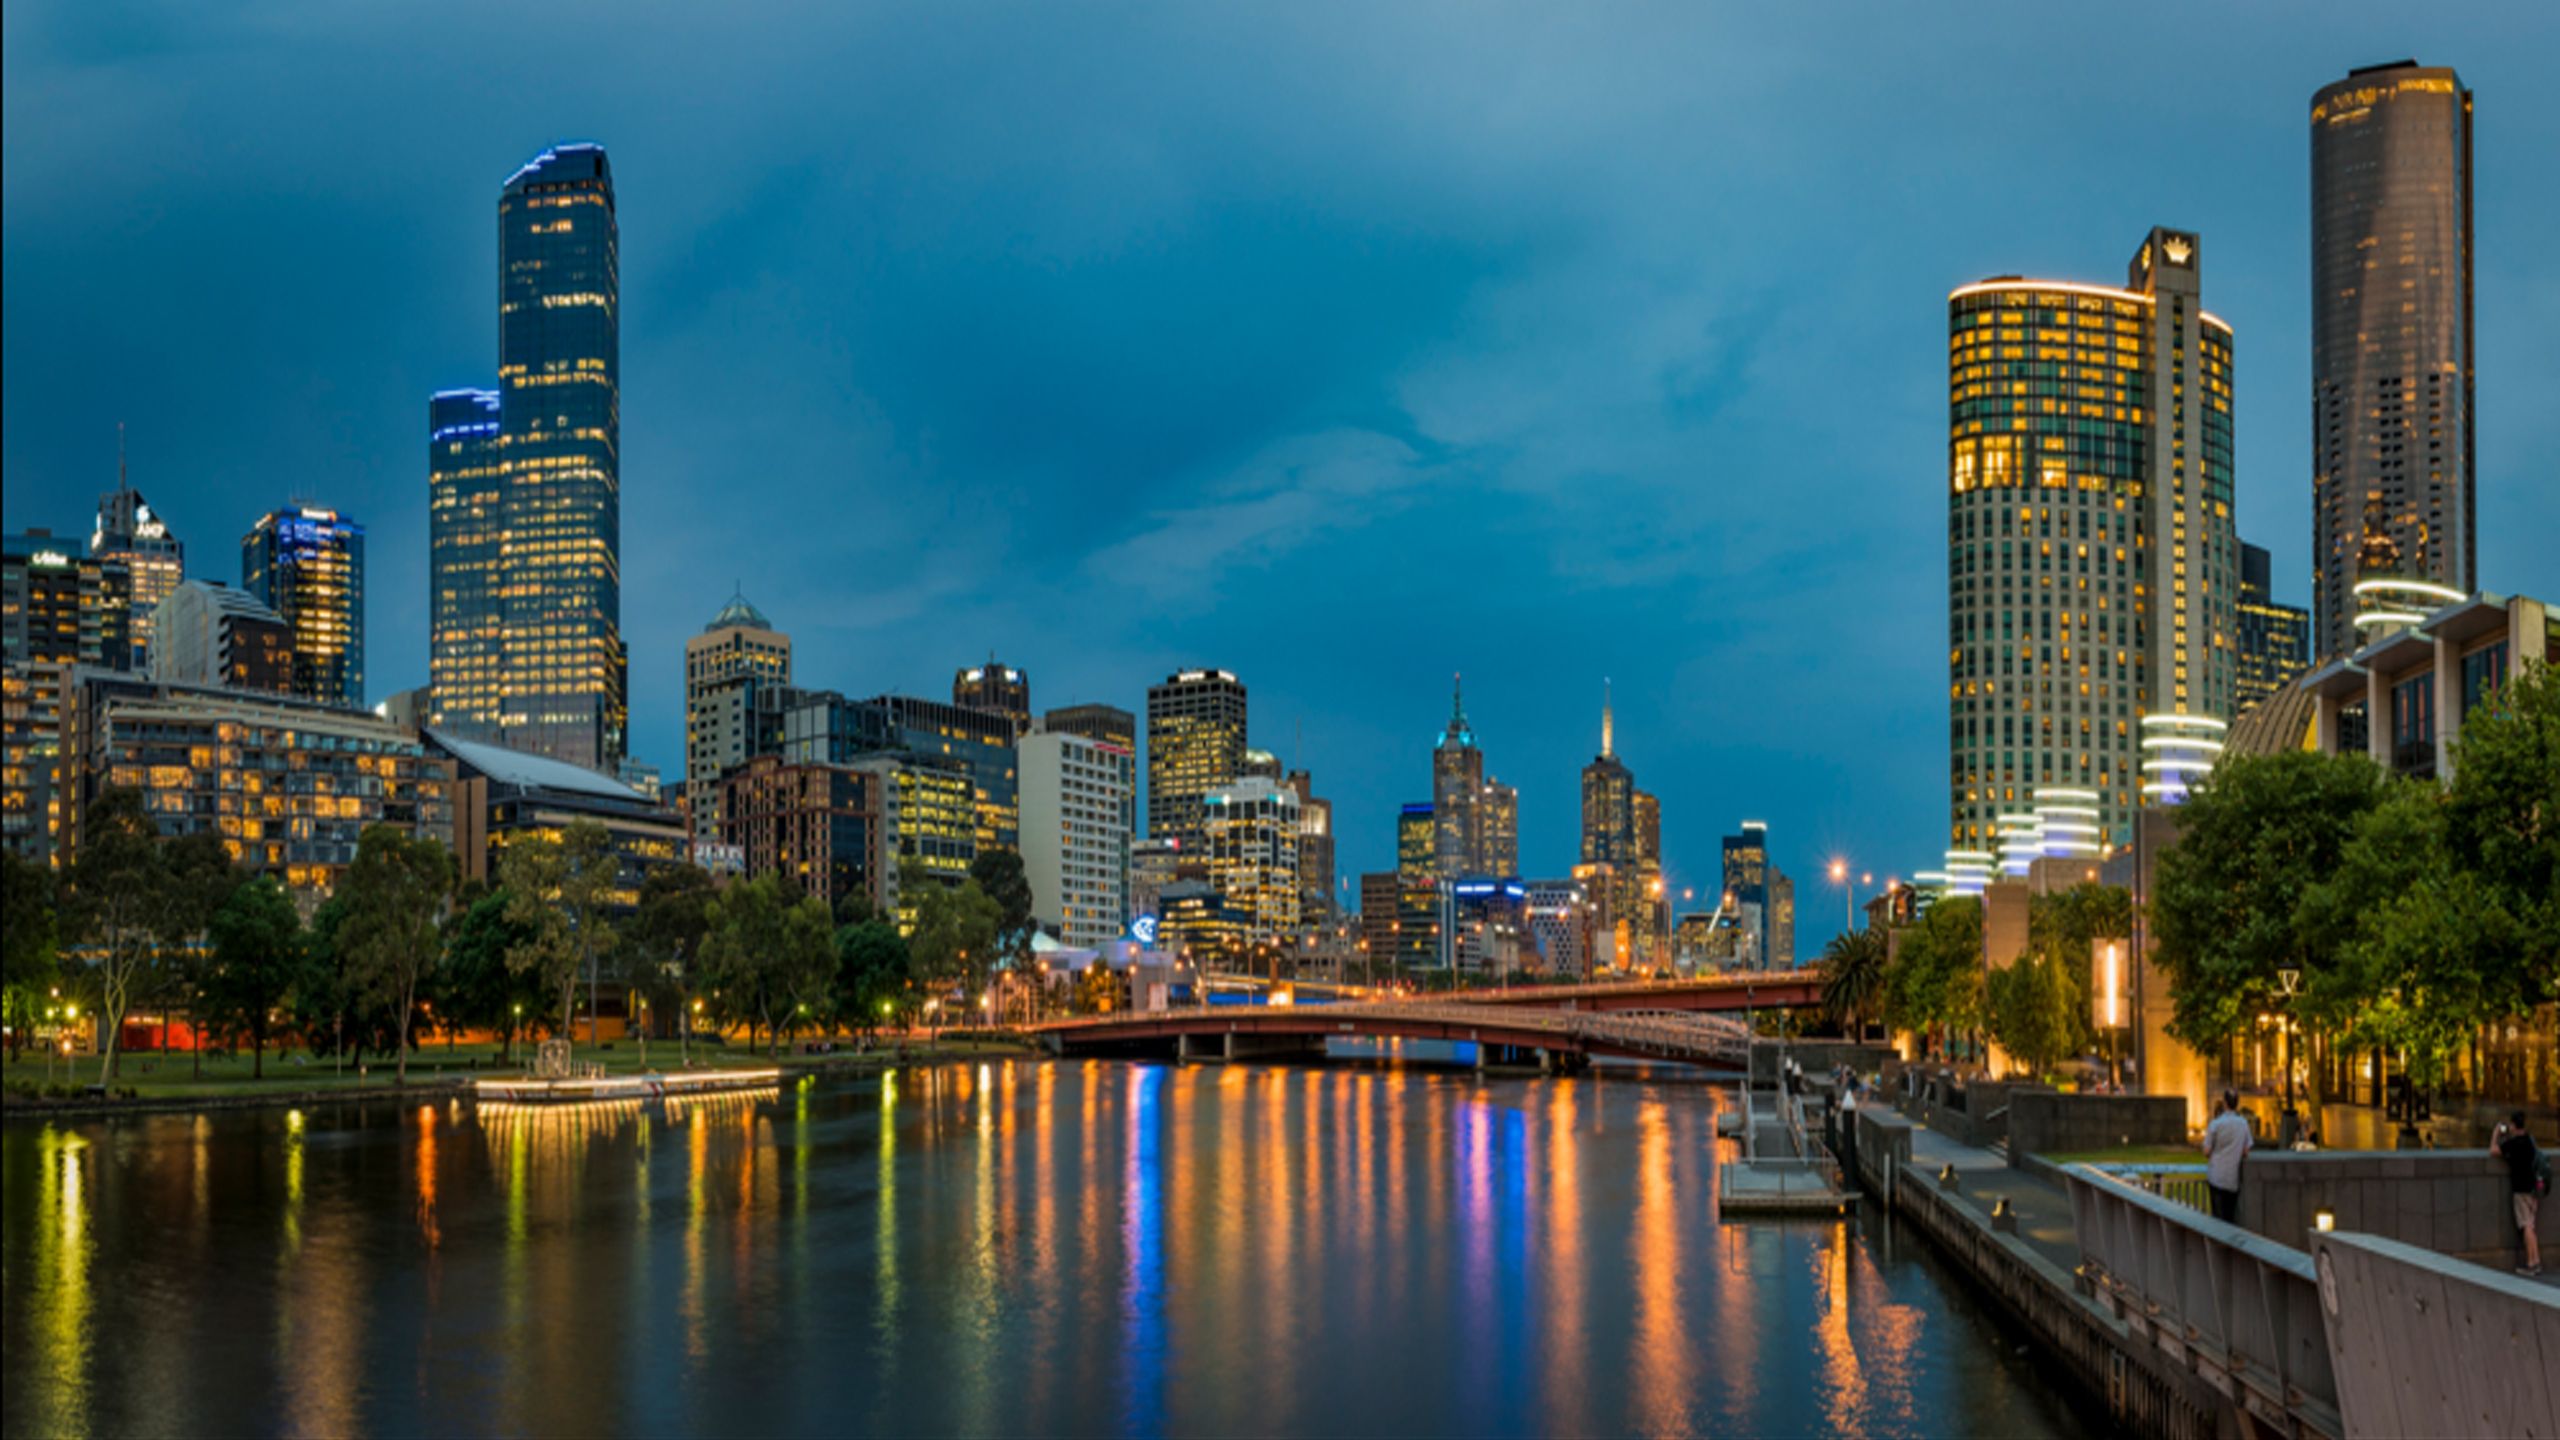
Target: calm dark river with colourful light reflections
x,y
974,1249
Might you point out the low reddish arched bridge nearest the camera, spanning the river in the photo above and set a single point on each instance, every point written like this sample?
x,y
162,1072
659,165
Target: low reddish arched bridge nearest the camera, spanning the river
x,y
1504,1034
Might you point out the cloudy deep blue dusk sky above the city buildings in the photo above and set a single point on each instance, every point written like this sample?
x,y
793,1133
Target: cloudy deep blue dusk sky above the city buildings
x,y
1345,347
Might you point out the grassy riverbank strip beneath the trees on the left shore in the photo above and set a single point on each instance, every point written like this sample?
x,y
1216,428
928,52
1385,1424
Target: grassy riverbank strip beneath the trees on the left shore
x,y
168,1085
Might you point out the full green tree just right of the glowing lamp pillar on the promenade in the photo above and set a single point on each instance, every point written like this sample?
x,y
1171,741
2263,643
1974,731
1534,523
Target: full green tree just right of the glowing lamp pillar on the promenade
x,y
2254,839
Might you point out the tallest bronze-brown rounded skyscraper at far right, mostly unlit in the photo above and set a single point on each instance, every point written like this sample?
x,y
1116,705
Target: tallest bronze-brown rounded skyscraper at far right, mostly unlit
x,y
2392,378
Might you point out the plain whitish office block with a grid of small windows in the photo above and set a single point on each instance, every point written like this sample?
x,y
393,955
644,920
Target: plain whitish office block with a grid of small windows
x,y
1076,811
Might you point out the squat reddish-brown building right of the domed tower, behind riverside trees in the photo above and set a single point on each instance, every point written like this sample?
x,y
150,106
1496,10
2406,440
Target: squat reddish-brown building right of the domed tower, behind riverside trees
x,y
813,824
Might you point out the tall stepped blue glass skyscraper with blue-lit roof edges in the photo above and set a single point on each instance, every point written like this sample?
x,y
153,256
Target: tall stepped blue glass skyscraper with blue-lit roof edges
x,y
526,486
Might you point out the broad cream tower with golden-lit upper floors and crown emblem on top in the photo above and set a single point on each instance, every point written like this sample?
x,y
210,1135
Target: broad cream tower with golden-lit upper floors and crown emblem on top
x,y
2093,562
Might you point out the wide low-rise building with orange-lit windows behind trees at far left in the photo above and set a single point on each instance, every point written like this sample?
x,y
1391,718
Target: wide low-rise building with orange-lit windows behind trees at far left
x,y
285,783
